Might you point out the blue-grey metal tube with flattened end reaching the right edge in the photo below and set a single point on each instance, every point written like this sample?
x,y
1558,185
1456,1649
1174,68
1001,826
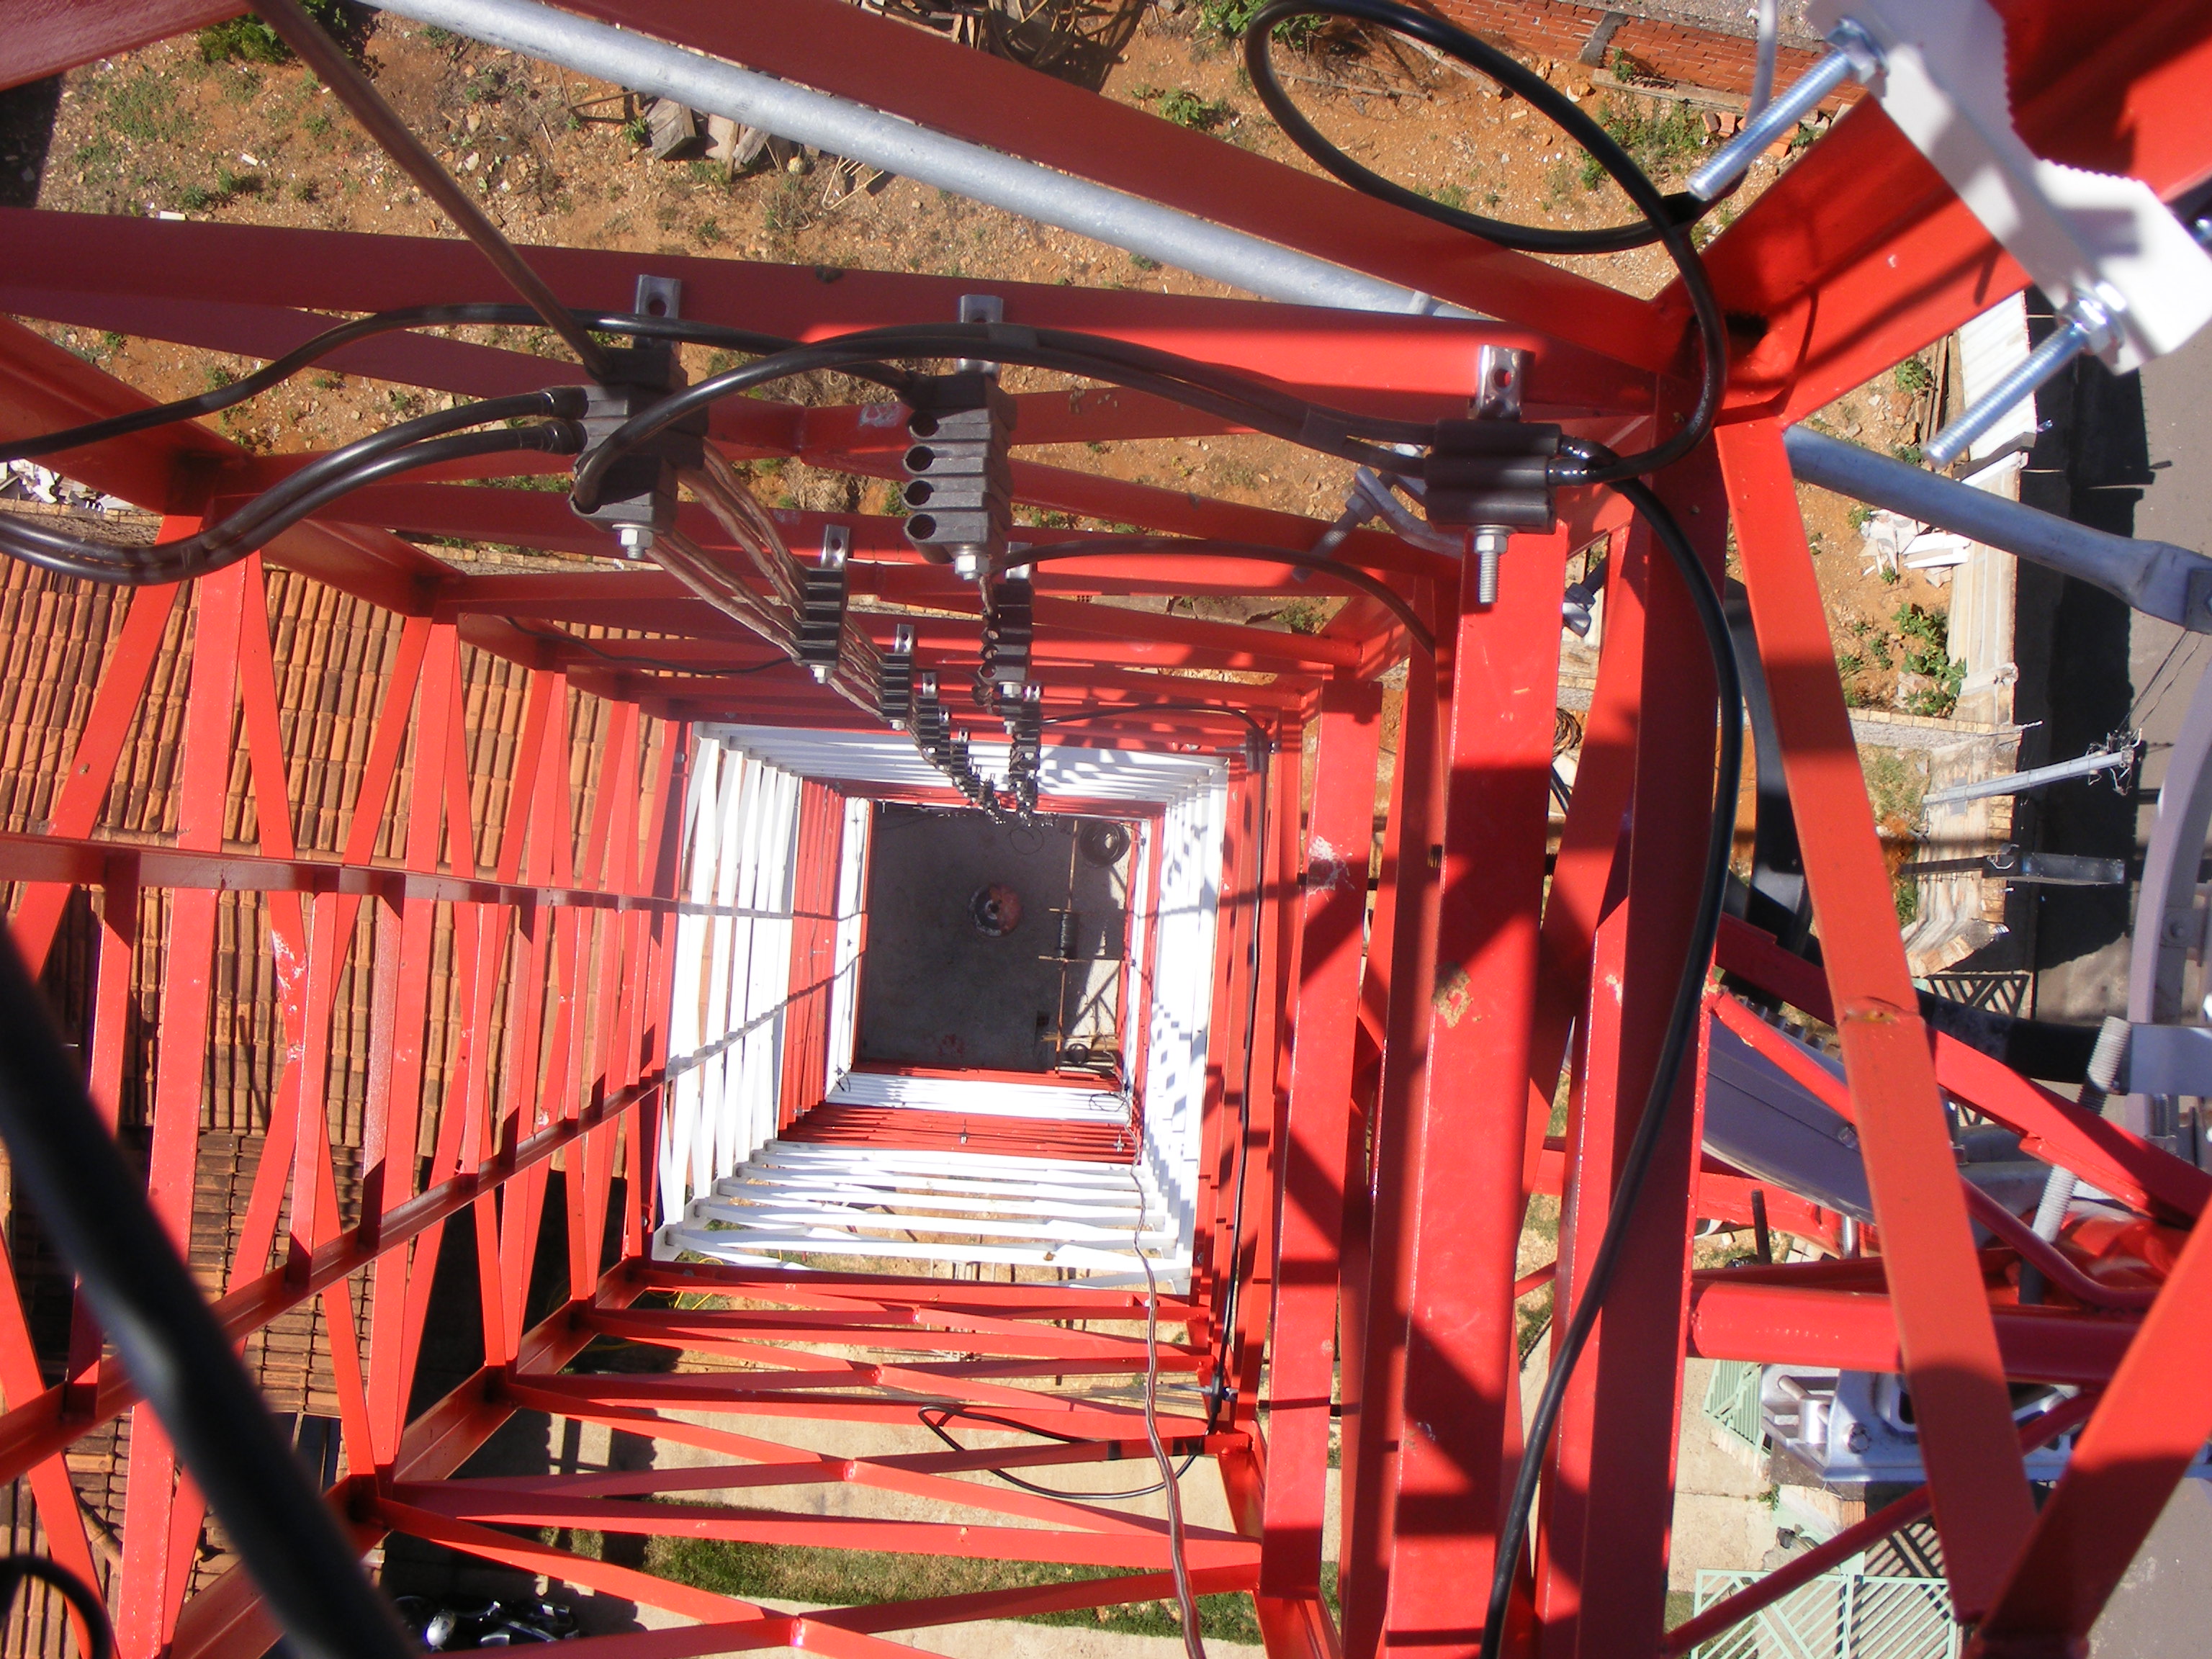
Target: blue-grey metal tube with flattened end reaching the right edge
x,y
2156,578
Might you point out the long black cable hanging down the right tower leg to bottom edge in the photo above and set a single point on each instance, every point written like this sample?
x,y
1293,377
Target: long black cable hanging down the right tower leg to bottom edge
x,y
1673,1050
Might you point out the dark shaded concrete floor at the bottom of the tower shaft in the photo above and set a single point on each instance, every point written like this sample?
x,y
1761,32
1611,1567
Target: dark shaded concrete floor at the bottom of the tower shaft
x,y
937,992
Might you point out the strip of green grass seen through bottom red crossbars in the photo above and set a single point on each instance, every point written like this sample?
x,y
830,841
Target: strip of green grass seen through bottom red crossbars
x,y
851,1578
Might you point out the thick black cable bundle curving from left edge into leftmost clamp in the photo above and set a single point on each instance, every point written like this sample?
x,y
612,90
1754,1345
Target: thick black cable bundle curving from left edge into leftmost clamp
x,y
404,448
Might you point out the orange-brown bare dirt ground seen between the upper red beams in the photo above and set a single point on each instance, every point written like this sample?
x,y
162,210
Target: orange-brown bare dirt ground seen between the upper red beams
x,y
561,160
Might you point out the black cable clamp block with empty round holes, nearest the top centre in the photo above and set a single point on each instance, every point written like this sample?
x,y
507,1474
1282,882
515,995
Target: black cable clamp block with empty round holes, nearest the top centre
x,y
959,472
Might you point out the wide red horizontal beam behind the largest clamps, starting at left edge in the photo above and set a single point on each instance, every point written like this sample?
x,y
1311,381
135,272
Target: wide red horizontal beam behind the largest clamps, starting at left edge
x,y
1328,351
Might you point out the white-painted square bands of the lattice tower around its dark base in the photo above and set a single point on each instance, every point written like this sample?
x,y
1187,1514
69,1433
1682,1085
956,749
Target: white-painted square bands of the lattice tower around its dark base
x,y
735,1193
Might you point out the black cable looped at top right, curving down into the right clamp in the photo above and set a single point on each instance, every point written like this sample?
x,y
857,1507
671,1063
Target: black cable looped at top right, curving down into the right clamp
x,y
1660,216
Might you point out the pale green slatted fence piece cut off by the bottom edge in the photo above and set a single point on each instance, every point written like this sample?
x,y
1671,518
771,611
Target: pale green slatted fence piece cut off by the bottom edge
x,y
1837,1616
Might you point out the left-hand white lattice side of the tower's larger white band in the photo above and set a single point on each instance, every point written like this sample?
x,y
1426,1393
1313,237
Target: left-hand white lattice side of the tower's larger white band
x,y
733,966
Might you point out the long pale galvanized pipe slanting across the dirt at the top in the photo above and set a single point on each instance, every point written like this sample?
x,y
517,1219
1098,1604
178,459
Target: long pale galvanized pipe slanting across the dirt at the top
x,y
919,154
